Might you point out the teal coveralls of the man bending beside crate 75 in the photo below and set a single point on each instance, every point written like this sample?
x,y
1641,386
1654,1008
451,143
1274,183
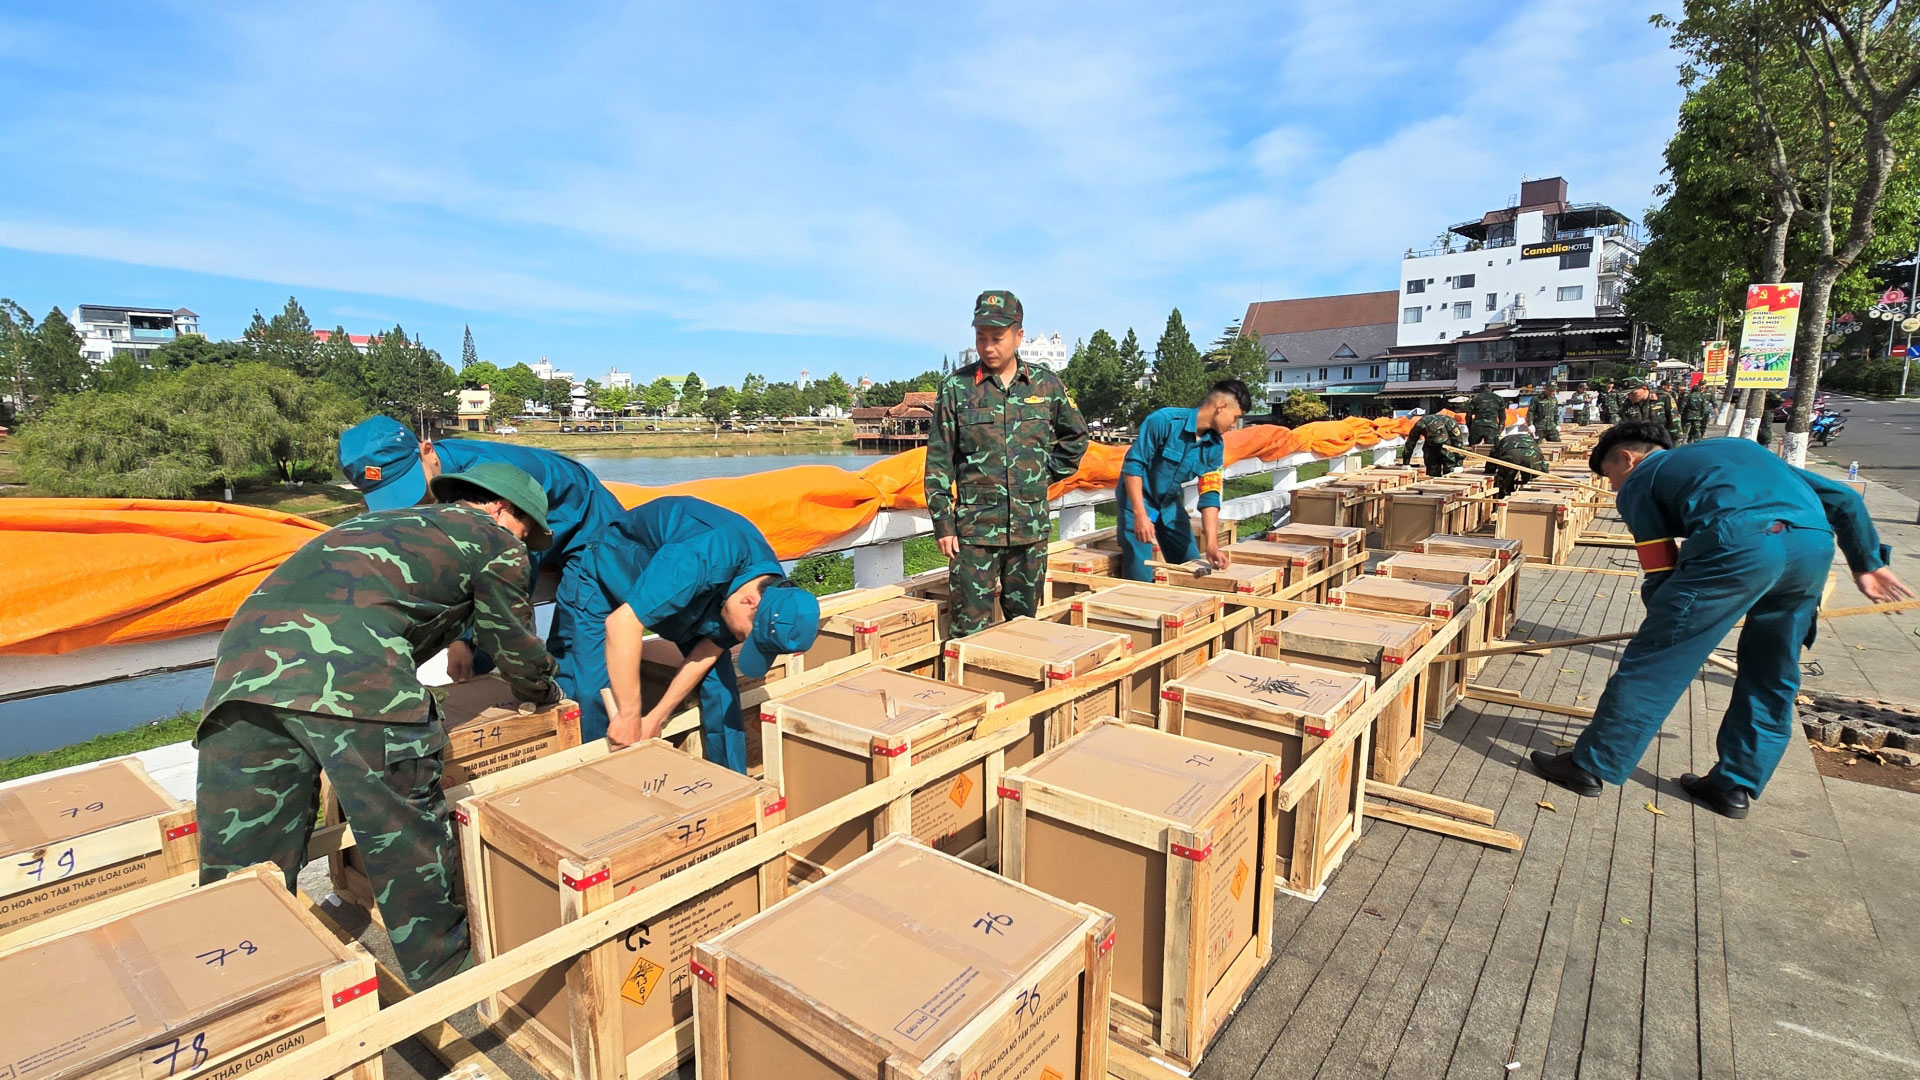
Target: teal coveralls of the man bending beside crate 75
x,y
675,562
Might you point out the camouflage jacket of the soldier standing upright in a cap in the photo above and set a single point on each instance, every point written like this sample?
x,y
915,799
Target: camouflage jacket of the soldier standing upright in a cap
x,y
994,453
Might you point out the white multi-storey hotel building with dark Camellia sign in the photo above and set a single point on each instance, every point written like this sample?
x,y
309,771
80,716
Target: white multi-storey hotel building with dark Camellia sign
x,y
1539,258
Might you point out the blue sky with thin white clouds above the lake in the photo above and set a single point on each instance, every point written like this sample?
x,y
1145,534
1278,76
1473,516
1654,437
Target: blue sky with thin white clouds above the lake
x,y
771,187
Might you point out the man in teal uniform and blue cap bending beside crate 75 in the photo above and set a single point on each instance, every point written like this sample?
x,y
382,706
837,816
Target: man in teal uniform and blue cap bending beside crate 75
x,y
706,579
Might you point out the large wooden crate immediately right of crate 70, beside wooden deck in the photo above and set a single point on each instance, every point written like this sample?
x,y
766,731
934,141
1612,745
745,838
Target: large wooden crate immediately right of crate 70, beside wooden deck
x,y
1120,808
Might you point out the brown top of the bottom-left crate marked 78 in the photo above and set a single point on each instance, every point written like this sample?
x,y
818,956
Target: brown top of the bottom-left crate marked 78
x,y
130,985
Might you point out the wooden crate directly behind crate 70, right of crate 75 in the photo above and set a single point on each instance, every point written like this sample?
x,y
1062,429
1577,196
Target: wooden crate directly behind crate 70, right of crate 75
x,y
830,741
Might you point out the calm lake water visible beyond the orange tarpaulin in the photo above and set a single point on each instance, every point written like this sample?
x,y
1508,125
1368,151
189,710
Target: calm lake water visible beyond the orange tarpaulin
x,y
60,720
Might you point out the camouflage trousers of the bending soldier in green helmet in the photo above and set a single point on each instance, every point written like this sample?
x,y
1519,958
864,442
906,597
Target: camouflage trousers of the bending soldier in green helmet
x,y
260,793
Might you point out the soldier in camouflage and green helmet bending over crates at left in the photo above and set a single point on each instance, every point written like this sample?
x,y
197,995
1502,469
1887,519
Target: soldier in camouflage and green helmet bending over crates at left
x,y
318,674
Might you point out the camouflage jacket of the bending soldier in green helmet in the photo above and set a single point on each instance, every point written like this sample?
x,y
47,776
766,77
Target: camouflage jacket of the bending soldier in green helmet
x,y
343,624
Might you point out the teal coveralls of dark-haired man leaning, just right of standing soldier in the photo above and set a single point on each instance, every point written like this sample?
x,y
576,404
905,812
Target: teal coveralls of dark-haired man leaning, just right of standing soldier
x,y
1168,453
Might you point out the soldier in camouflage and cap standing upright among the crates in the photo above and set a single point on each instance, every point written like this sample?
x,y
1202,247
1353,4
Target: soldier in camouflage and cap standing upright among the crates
x,y
1003,433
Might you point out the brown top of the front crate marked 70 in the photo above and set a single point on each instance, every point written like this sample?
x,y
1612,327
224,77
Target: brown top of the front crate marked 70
x,y
905,945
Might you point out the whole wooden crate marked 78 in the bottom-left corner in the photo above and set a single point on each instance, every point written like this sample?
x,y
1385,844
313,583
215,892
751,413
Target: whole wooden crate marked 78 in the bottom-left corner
x,y
212,983
